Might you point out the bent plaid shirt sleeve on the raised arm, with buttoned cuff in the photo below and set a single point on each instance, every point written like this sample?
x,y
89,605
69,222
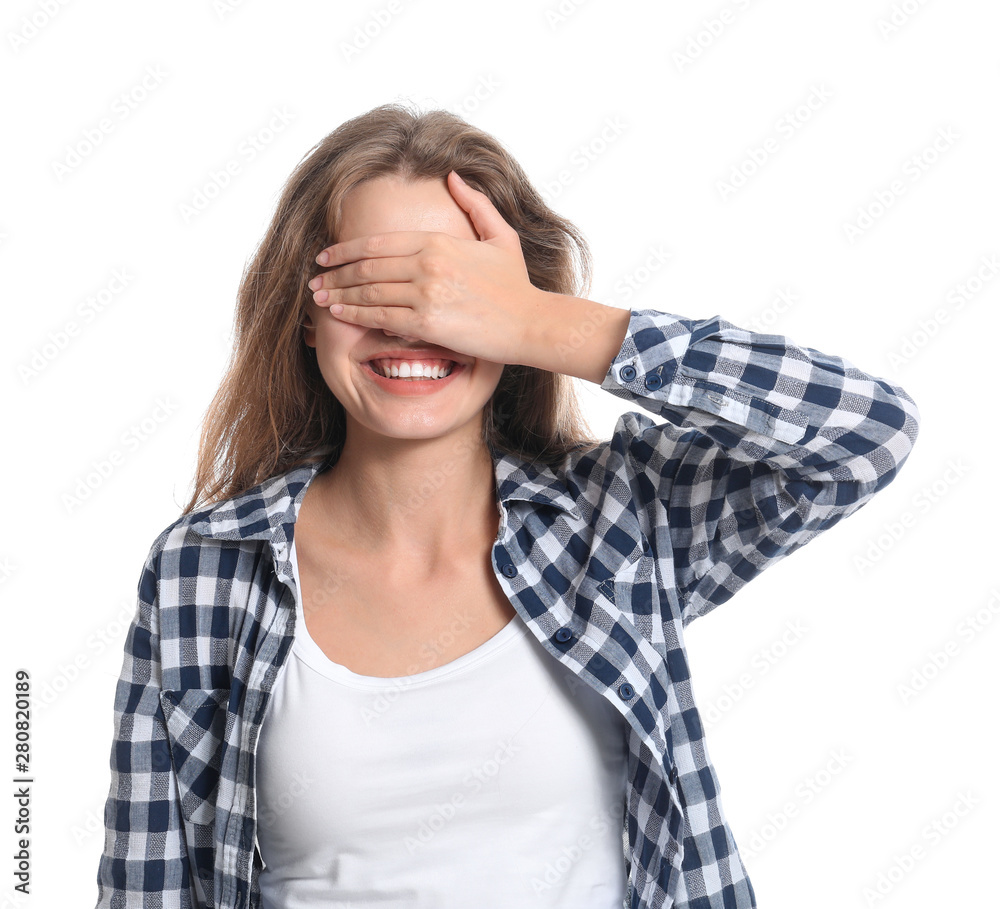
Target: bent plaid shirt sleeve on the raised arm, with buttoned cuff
x,y
766,445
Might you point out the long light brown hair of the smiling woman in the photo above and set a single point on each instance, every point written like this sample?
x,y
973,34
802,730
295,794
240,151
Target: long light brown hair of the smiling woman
x,y
273,410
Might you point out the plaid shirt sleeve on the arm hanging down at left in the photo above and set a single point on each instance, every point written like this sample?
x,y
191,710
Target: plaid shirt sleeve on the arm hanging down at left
x,y
144,862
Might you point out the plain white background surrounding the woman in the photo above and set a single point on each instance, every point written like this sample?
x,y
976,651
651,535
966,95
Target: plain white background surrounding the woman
x,y
833,776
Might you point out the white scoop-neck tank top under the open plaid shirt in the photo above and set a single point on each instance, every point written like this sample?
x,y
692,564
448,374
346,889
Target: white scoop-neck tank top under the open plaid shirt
x,y
495,780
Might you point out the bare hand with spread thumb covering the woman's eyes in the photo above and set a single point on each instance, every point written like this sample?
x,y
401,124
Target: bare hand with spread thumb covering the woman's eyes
x,y
470,296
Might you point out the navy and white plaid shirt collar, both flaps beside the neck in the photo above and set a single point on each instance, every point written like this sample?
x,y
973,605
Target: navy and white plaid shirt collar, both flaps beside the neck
x,y
266,511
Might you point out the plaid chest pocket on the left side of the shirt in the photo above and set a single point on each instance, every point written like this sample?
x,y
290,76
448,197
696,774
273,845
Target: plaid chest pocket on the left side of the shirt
x,y
196,725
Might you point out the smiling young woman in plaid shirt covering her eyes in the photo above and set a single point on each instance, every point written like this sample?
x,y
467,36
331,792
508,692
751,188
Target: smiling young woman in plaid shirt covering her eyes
x,y
421,643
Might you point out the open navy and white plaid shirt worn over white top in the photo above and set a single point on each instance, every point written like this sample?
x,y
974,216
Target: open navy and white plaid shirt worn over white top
x,y
761,445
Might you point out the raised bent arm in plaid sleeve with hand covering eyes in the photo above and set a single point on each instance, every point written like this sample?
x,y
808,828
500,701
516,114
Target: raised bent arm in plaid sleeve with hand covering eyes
x,y
781,441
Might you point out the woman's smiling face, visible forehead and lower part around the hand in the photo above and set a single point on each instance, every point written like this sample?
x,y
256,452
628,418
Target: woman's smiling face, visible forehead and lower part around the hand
x,y
417,409
